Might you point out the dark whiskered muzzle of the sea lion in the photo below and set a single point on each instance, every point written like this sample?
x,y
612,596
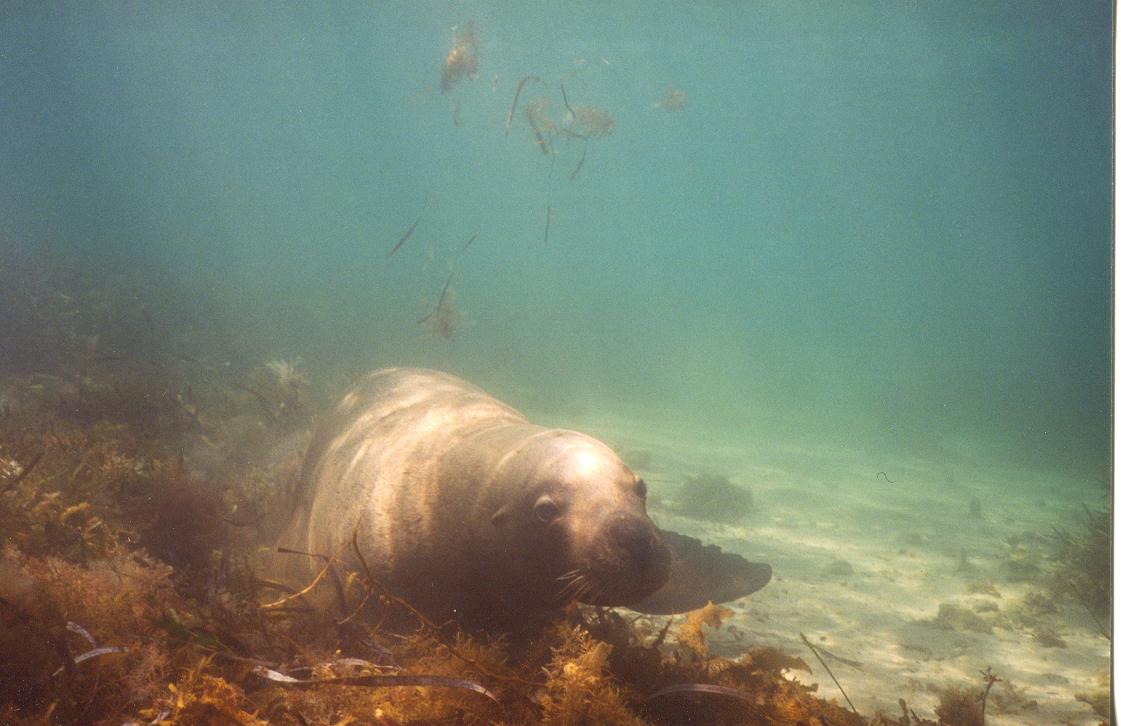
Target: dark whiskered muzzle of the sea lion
x,y
629,562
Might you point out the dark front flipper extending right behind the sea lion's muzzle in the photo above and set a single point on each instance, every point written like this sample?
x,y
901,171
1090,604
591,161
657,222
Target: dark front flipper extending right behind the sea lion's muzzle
x,y
701,573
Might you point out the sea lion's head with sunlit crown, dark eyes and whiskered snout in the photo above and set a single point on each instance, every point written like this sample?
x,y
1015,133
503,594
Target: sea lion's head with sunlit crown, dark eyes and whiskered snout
x,y
581,519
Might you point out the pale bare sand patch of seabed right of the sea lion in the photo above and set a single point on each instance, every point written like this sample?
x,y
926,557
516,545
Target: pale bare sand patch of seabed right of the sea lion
x,y
919,584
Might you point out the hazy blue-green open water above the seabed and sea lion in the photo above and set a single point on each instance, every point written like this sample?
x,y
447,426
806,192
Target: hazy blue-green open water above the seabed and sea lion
x,y
878,226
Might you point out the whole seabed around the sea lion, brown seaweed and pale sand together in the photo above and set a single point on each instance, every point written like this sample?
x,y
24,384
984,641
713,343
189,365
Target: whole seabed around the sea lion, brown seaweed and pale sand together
x,y
910,589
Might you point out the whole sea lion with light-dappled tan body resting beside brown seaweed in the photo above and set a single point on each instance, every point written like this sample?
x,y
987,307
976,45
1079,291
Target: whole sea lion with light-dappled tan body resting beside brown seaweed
x,y
470,513
